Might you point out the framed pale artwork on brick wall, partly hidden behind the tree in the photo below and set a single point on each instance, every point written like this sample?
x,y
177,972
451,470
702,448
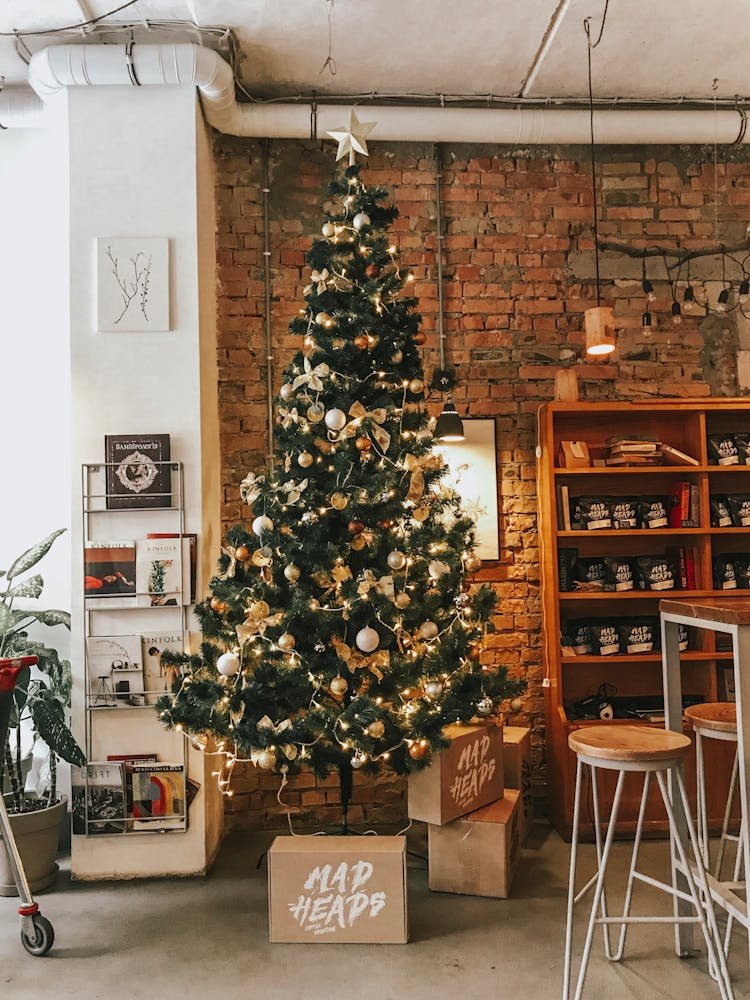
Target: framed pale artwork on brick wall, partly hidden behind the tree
x,y
473,474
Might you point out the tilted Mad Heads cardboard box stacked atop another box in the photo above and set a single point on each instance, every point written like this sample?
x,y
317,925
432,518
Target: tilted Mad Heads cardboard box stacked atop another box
x,y
466,776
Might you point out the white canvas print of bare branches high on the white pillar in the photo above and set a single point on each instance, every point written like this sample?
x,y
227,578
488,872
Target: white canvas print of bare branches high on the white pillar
x,y
132,284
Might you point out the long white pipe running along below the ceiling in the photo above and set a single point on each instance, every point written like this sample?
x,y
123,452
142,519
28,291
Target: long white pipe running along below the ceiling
x,y
57,67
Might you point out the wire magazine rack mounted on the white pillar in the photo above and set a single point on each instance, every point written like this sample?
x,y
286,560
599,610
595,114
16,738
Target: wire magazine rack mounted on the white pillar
x,y
127,788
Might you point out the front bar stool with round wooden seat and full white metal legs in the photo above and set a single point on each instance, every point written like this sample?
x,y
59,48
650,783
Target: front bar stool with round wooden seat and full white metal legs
x,y
651,752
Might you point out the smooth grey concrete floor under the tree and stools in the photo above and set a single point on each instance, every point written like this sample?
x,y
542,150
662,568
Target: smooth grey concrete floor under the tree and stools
x,y
205,938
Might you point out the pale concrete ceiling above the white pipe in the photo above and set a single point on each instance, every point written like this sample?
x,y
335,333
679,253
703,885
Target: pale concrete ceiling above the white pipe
x,y
650,49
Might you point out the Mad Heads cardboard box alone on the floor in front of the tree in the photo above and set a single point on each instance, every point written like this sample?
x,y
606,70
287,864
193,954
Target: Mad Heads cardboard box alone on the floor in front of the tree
x,y
337,890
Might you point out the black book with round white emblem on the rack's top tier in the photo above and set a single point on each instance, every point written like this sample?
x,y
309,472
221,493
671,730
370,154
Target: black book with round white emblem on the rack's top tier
x,y
138,471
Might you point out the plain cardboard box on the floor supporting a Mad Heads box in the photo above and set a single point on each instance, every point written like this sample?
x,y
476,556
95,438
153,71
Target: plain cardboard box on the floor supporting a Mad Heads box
x,y
477,855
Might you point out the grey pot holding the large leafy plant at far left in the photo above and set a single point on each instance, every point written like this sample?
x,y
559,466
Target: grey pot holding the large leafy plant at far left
x,y
36,835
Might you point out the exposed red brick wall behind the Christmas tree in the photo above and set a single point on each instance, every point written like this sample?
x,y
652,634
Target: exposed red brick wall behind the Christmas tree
x,y
518,270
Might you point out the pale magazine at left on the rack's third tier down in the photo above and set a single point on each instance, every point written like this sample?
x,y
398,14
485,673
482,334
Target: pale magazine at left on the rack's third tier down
x,y
115,670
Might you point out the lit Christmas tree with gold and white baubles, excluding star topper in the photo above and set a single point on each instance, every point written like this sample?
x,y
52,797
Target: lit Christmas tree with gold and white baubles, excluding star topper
x,y
341,631
